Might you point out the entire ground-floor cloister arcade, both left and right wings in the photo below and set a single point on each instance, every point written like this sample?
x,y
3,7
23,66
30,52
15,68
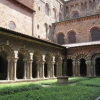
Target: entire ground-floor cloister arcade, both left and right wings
x,y
21,64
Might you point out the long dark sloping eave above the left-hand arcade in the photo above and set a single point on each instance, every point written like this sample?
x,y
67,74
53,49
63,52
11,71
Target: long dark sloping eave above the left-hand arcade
x,y
24,37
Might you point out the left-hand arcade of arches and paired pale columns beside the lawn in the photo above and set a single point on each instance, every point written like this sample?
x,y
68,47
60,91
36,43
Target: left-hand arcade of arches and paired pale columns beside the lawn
x,y
24,65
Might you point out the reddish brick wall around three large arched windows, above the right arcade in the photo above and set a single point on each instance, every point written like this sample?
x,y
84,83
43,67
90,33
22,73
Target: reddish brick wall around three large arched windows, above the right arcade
x,y
82,28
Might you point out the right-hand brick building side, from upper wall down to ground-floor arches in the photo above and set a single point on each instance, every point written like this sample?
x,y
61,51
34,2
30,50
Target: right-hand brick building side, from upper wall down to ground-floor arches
x,y
80,34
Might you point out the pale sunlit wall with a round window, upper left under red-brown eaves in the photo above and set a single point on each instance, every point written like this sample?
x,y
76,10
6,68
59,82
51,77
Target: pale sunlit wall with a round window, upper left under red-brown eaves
x,y
19,17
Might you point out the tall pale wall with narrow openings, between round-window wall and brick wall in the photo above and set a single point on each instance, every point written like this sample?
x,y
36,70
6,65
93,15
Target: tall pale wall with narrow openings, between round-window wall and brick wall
x,y
41,18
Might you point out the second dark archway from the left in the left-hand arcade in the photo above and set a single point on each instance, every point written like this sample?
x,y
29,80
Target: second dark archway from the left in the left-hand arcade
x,y
20,67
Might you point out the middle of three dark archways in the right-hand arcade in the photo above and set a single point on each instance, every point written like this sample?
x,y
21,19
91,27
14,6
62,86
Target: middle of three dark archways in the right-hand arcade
x,y
83,68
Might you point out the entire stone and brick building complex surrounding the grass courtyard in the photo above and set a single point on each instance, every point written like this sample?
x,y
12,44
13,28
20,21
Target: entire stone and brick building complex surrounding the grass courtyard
x,y
42,39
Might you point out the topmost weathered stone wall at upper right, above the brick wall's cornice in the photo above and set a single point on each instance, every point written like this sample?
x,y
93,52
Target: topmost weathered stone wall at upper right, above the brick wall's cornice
x,y
82,7
